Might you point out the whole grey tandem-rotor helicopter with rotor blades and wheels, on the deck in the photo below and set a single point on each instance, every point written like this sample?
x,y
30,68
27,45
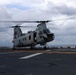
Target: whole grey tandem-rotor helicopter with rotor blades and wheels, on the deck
x,y
41,35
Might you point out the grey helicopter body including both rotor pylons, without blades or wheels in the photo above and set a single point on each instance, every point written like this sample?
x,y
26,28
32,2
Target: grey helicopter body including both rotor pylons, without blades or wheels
x,y
41,36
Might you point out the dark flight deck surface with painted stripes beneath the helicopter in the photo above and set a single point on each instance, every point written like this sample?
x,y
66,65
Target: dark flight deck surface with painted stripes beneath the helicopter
x,y
38,62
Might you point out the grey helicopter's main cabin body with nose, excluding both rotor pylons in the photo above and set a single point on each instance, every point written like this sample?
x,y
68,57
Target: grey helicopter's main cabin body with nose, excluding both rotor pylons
x,y
33,38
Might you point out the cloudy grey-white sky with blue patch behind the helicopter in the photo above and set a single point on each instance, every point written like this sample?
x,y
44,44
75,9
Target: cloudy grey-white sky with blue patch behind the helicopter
x,y
64,30
